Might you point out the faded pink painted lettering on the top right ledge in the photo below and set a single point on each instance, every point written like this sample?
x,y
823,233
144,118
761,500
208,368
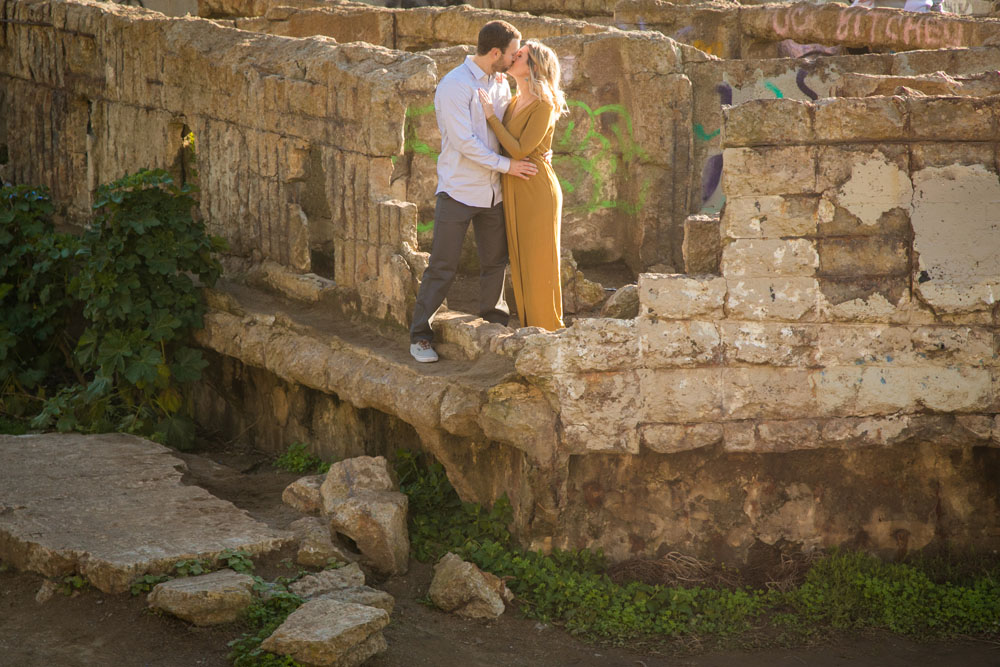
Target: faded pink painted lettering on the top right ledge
x,y
859,24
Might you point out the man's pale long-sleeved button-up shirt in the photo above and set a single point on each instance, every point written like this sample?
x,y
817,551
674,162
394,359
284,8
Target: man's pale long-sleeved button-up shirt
x,y
470,163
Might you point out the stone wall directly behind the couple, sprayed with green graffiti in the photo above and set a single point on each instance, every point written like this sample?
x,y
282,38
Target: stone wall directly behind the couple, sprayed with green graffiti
x,y
623,153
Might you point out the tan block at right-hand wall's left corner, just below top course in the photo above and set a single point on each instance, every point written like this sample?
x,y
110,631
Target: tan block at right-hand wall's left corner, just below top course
x,y
788,171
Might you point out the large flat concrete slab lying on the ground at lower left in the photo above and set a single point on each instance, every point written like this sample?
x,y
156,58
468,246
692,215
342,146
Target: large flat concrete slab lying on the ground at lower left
x,y
111,507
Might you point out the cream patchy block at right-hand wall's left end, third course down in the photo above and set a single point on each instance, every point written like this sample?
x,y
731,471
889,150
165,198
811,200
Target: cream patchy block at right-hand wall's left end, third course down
x,y
772,216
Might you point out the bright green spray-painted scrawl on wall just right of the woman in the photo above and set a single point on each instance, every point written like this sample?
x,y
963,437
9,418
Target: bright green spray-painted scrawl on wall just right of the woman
x,y
591,166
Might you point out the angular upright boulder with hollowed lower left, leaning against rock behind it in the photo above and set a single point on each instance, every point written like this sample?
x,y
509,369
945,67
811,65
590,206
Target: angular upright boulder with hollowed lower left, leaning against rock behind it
x,y
376,521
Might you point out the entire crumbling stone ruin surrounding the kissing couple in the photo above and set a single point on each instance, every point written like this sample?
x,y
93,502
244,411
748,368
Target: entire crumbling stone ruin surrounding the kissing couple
x,y
805,199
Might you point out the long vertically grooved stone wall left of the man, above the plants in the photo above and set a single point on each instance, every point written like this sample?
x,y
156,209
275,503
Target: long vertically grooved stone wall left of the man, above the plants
x,y
295,139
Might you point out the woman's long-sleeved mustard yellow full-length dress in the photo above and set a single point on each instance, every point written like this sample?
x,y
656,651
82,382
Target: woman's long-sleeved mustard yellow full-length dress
x,y
532,211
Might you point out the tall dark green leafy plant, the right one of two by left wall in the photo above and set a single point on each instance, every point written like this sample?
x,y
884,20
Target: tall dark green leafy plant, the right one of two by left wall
x,y
140,264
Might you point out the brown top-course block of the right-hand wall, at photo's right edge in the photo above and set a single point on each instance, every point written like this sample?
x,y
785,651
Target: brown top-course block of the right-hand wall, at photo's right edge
x,y
953,119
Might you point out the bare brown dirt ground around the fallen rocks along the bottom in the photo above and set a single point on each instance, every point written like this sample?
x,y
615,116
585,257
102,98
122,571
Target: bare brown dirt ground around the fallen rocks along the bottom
x,y
93,628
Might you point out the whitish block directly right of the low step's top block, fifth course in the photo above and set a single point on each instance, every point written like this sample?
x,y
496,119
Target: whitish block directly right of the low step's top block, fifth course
x,y
772,298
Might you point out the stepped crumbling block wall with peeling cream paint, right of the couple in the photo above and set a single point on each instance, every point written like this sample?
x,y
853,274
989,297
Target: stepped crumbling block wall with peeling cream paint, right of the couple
x,y
855,321
